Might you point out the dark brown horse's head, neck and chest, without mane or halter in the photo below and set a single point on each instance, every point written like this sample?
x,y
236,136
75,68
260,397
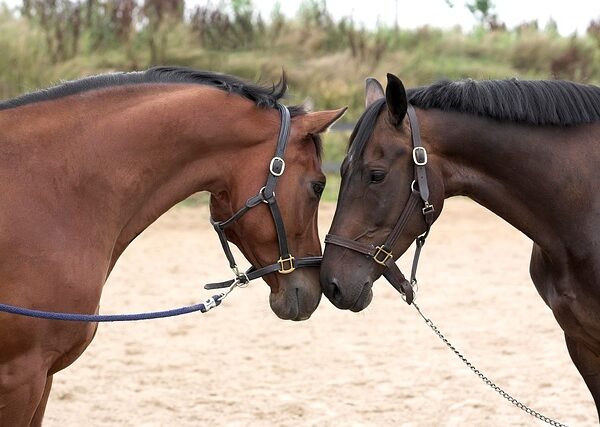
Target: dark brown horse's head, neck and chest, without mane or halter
x,y
541,178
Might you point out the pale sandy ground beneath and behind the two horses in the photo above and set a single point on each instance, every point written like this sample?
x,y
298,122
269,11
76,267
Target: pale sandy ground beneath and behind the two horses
x,y
239,365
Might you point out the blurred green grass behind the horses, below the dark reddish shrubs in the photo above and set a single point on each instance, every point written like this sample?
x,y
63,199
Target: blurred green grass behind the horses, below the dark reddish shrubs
x,y
326,61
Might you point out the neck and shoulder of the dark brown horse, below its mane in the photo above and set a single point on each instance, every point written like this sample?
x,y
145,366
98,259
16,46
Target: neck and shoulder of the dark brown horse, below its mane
x,y
542,181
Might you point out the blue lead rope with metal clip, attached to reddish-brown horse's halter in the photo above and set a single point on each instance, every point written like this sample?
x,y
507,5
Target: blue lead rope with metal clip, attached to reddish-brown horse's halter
x,y
203,307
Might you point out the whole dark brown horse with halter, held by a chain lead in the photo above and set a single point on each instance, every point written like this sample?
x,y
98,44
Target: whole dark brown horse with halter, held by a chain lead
x,y
529,151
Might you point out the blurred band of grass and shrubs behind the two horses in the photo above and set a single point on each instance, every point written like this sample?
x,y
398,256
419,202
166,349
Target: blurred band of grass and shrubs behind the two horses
x,y
44,41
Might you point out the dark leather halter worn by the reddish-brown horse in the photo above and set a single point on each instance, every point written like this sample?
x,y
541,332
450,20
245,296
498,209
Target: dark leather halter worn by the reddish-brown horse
x,y
286,262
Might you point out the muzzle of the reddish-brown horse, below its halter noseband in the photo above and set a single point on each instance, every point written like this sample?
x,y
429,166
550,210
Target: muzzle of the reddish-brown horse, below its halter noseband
x,y
296,298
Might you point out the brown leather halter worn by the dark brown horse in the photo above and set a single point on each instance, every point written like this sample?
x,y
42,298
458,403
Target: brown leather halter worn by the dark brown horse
x,y
419,191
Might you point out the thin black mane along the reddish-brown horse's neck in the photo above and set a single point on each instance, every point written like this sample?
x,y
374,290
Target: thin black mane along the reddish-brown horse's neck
x,y
263,96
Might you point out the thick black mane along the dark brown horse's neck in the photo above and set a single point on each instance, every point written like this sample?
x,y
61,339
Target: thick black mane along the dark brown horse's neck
x,y
535,102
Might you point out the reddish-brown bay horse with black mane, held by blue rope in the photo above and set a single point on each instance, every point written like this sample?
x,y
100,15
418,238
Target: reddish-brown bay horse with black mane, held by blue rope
x,y
87,165
